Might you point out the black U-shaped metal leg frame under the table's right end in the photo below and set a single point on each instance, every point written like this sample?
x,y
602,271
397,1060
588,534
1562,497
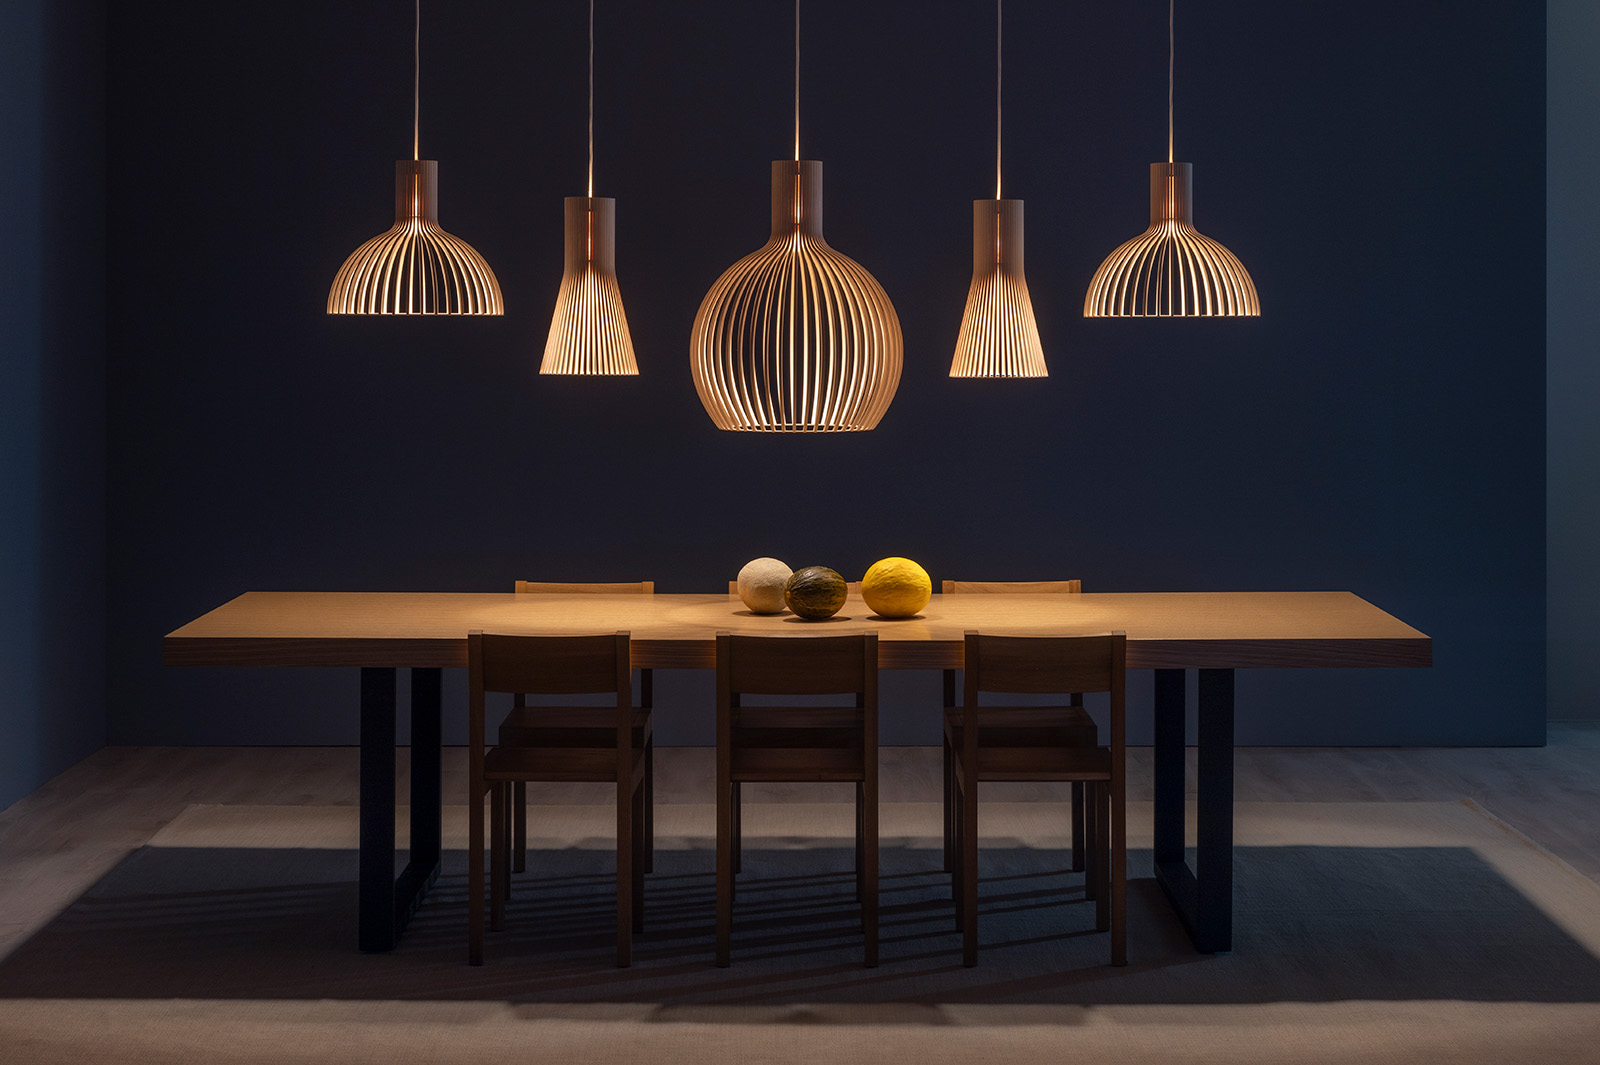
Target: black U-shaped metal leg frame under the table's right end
x,y
1204,898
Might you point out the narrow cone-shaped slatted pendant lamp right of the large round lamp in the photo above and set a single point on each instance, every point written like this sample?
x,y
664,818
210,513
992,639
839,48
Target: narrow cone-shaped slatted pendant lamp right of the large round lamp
x,y
999,337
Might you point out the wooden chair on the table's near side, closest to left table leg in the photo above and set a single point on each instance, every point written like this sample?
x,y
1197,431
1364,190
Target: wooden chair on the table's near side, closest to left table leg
x,y
578,751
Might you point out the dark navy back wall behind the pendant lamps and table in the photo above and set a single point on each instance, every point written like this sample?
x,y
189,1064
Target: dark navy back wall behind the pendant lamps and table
x,y
1378,167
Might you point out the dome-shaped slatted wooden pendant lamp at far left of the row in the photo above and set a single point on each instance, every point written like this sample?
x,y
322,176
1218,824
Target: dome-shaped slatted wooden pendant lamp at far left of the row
x,y
417,268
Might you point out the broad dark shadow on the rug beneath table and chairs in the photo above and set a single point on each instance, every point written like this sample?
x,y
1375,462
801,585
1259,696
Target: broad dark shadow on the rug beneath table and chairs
x,y
1314,923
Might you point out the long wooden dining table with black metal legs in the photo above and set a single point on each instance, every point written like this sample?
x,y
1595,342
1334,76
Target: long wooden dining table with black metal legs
x,y
1169,632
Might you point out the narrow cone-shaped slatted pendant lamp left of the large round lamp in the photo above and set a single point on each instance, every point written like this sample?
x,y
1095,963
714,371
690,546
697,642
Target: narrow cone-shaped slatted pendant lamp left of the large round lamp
x,y
590,329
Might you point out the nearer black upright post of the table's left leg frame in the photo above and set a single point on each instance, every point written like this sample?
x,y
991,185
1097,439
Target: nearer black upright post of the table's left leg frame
x,y
377,899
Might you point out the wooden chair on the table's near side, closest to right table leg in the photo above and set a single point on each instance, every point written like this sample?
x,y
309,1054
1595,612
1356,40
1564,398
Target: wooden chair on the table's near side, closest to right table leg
x,y
1044,751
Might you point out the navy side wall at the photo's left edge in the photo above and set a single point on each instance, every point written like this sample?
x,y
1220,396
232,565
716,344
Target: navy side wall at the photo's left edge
x,y
52,389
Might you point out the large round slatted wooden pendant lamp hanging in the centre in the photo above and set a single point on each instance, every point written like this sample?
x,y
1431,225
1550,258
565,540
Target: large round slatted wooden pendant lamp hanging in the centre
x,y
796,337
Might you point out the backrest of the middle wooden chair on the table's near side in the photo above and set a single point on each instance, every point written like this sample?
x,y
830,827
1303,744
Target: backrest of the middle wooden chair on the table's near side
x,y
798,666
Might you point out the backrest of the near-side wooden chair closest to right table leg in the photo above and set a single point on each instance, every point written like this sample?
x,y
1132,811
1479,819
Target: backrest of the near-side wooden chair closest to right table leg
x,y
1046,664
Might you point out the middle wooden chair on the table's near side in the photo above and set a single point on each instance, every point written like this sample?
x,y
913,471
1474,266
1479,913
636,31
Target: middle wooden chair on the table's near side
x,y
798,744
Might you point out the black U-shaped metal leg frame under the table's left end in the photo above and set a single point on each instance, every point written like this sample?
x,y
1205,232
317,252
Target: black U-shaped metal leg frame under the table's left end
x,y
388,903
